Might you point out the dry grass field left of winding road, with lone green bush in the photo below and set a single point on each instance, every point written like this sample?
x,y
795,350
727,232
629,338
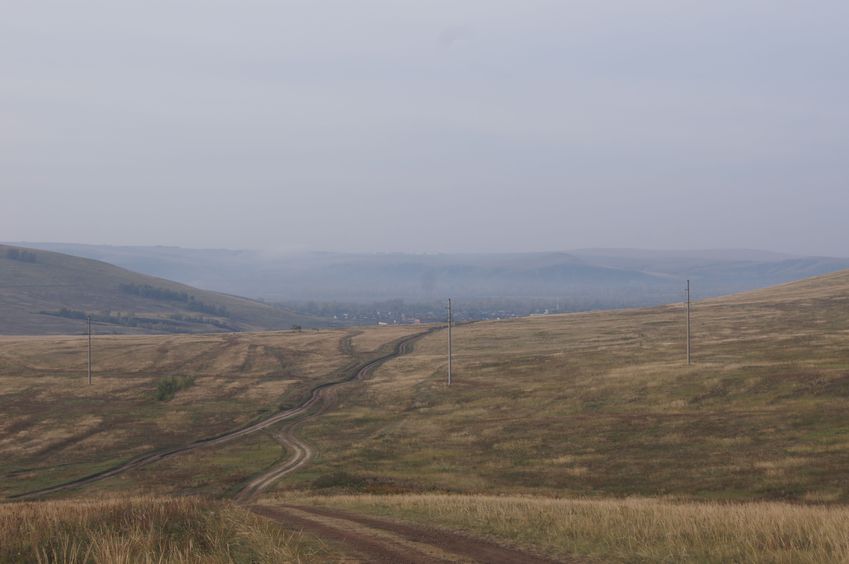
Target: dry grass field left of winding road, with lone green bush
x,y
56,427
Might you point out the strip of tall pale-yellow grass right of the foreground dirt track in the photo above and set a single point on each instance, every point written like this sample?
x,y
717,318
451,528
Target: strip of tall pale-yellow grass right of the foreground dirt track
x,y
625,530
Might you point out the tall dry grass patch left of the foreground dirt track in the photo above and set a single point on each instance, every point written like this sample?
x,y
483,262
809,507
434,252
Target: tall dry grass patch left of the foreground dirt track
x,y
147,530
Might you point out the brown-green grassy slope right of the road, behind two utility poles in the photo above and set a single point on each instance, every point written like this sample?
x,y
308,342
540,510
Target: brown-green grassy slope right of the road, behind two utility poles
x,y
603,404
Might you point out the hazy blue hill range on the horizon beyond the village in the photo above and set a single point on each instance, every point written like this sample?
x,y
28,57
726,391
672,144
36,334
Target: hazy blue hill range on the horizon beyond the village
x,y
579,280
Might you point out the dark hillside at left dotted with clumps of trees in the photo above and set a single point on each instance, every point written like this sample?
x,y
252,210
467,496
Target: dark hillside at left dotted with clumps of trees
x,y
45,292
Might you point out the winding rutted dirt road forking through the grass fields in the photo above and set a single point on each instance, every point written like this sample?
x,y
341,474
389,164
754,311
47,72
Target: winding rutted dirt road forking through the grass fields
x,y
363,538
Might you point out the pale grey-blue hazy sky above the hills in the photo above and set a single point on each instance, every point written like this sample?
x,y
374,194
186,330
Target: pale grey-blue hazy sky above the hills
x,y
452,125
